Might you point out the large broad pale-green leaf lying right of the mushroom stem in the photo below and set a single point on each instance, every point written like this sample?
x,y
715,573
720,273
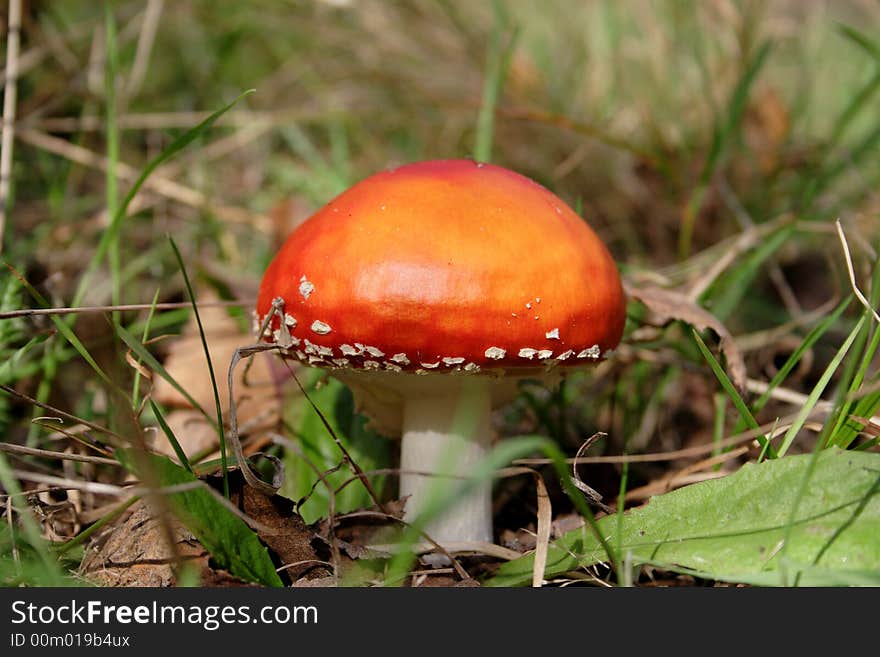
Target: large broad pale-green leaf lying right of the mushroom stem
x,y
732,528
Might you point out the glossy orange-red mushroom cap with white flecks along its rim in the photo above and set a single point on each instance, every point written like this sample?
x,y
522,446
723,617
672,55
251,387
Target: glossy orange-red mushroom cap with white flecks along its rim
x,y
447,265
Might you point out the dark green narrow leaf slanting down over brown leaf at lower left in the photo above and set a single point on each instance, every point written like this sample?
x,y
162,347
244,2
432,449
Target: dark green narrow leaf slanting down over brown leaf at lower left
x,y
232,544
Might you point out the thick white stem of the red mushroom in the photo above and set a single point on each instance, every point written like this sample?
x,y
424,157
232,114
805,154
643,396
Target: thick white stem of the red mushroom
x,y
446,432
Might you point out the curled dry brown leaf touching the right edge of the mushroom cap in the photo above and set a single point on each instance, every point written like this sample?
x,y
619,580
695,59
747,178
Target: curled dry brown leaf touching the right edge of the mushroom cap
x,y
667,306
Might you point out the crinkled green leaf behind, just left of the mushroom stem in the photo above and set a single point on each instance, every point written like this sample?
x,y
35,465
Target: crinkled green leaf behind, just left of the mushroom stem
x,y
367,448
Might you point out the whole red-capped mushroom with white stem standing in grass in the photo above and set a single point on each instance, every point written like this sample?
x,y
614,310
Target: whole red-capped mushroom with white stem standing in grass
x,y
431,289
